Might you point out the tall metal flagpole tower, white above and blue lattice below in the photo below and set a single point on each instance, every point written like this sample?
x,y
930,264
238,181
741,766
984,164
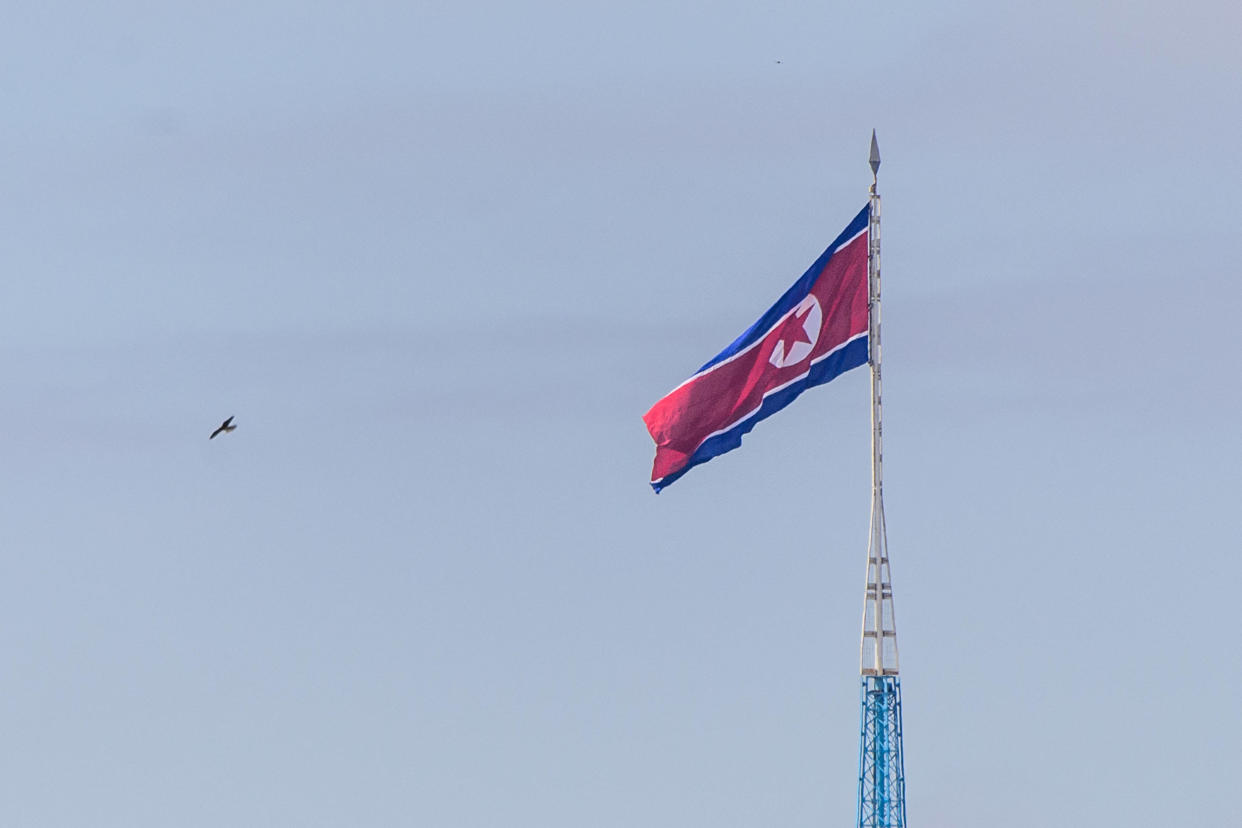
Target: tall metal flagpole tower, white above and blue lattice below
x,y
881,767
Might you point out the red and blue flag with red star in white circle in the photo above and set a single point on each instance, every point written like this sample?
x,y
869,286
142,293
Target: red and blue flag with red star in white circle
x,y
814,333
